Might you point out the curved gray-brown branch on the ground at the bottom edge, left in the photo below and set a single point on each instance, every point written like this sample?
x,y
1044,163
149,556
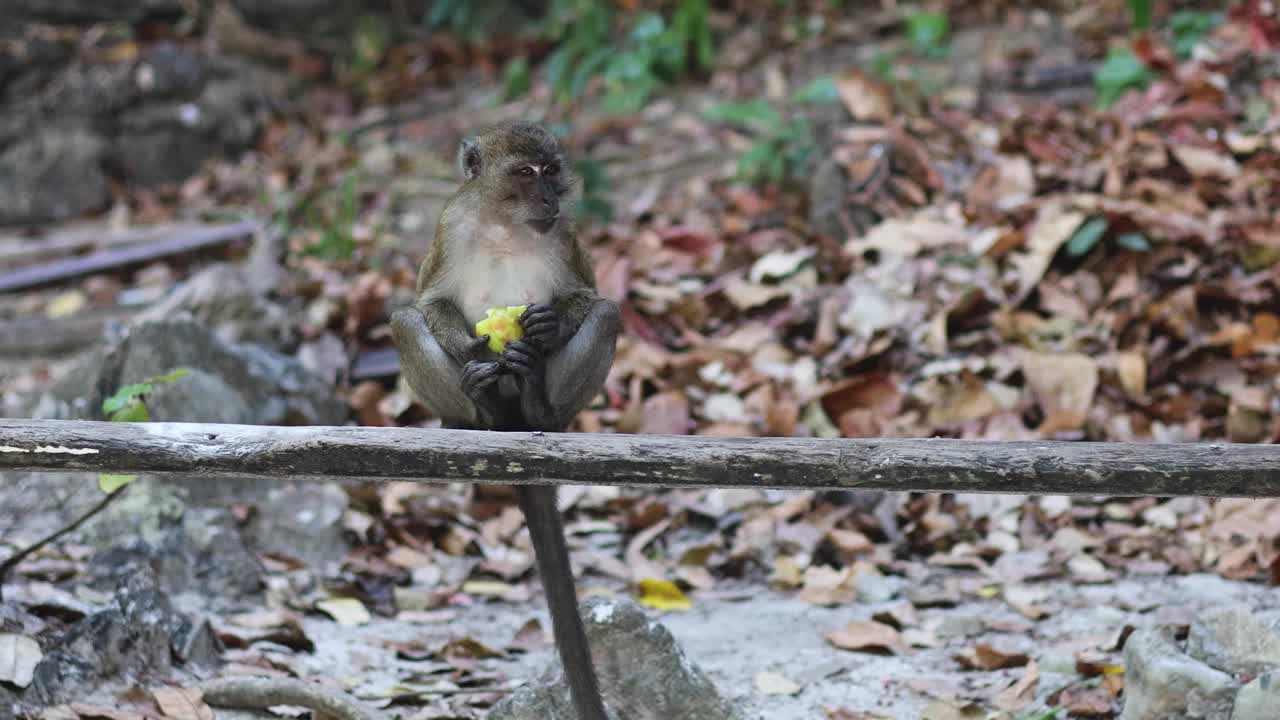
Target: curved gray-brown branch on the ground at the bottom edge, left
x,y
262,694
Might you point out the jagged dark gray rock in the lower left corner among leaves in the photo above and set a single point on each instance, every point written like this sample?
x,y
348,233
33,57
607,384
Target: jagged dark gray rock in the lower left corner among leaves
x,y
139,639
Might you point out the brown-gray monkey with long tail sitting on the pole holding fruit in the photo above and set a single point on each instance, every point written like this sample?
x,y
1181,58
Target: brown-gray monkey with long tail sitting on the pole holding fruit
x,y
509,238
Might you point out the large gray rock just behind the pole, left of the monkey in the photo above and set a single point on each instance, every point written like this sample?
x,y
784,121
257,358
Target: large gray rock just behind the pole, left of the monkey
x,y
234,382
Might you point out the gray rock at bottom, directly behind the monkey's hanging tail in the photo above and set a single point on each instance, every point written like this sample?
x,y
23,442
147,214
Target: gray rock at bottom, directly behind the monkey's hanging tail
x,y
643,675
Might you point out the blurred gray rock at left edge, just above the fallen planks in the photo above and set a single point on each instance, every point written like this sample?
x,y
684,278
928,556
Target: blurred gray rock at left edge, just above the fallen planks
x,y
52,176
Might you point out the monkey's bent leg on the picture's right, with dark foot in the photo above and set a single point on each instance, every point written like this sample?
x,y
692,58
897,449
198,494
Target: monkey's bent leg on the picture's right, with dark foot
x,y
557,385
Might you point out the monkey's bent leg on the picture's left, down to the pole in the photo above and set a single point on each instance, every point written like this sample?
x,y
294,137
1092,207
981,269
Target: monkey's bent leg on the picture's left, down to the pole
x,y
461,395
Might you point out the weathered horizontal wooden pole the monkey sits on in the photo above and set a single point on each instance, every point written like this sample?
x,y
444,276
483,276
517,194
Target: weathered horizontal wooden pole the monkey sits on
x,y
410,454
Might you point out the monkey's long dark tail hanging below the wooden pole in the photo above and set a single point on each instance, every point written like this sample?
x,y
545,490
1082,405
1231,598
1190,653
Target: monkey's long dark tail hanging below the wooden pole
x,y
547,531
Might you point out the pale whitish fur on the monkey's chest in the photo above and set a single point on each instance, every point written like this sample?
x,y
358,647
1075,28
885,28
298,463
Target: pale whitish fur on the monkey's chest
x,y
508,267
